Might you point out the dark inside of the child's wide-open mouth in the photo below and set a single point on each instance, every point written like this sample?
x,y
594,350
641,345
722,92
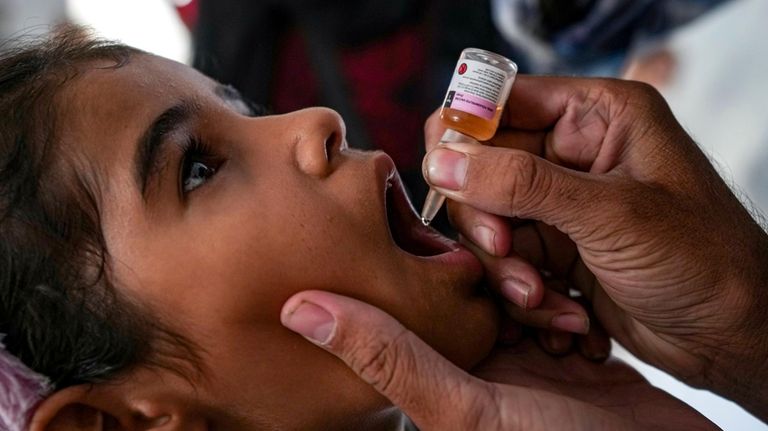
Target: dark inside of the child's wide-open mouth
x,y
406,228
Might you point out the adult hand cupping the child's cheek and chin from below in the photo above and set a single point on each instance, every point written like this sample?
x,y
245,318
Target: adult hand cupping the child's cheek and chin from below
x,y
538,392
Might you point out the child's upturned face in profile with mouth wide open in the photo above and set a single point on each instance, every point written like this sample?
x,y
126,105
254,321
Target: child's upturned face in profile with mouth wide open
x,y
288,208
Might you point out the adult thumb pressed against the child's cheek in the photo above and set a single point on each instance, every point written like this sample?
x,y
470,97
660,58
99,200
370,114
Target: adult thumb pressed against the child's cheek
x,y
433,392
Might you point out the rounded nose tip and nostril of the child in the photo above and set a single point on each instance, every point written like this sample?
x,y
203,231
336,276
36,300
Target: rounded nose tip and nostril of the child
x,y
321,138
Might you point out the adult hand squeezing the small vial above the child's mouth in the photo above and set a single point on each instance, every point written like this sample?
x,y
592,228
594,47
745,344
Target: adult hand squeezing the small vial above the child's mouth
x,y
631,213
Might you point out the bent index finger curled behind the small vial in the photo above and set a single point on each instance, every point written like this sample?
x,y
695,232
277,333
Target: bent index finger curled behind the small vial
x,y
581,123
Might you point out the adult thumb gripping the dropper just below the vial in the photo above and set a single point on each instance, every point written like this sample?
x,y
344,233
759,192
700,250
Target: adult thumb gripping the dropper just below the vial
x,y
515,183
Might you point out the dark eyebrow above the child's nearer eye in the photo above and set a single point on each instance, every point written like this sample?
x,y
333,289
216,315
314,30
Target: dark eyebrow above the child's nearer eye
x,y
153,141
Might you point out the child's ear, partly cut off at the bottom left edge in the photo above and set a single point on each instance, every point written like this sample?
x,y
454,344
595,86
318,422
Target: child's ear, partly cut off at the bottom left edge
x,y
114,407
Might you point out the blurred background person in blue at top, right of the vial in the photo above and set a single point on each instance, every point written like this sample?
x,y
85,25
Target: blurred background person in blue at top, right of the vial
x,y
621,38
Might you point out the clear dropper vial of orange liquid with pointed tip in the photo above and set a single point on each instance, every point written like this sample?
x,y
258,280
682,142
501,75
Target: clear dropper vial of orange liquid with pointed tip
x,y
473,104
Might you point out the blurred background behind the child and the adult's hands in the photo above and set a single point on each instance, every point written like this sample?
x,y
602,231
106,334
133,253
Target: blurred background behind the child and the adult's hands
x,y
385,64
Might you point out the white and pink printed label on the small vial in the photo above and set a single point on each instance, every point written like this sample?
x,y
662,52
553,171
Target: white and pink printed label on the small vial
x,y
475,88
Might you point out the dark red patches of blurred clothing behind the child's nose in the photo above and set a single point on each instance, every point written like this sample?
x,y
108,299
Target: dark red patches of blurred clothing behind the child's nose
x,y
383,81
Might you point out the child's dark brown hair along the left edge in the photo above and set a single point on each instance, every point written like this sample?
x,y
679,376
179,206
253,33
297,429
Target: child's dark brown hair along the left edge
x,y
59,311
